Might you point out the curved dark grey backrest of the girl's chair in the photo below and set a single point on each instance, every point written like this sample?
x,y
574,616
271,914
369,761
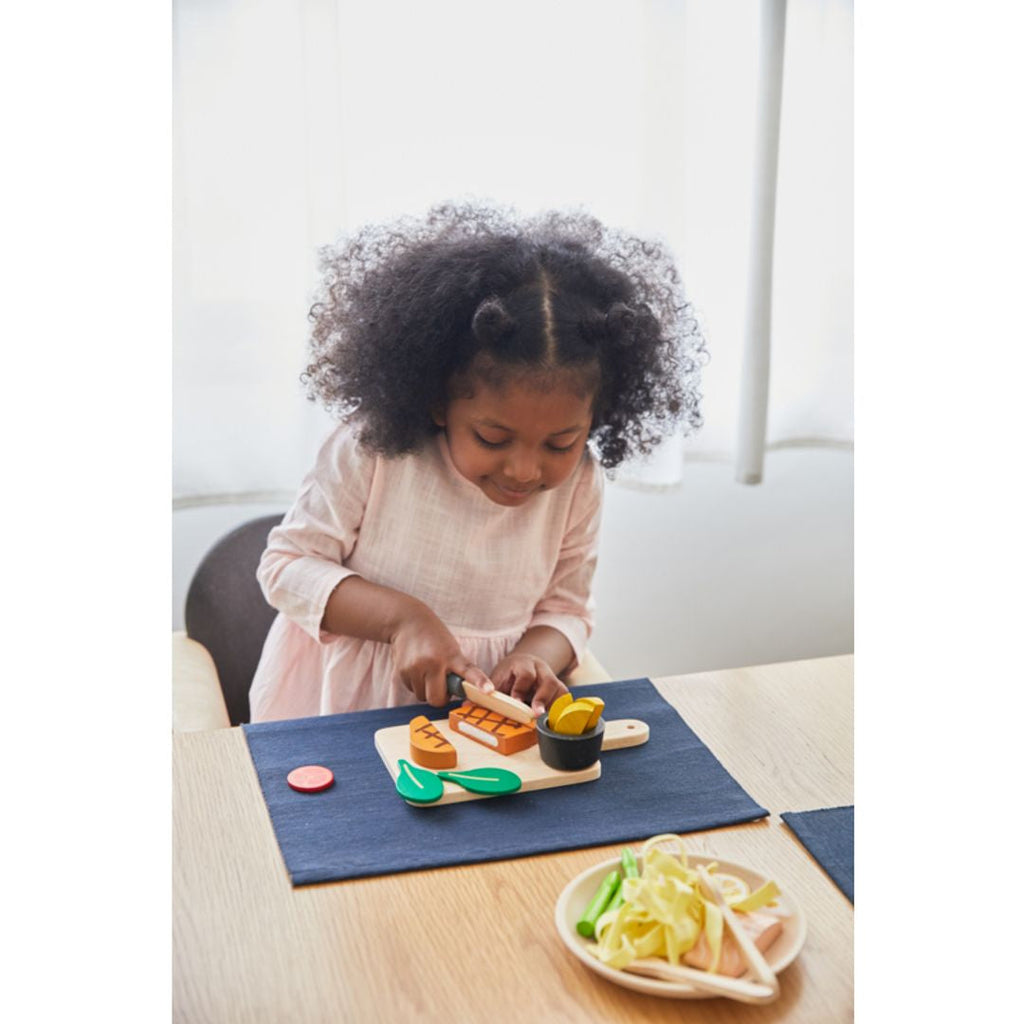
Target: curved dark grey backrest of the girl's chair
x,y
227,613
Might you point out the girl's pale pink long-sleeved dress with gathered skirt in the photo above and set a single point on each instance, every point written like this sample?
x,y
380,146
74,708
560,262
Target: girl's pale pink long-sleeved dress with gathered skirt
x,y
416,525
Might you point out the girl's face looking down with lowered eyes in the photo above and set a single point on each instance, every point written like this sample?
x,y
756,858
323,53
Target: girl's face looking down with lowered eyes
x,y
517,442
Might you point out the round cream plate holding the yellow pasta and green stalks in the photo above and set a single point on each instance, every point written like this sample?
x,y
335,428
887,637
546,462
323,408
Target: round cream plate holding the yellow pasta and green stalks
x,y
577,895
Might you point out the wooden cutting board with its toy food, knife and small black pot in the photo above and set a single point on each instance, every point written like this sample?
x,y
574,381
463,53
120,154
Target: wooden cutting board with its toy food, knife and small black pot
x,y
492,746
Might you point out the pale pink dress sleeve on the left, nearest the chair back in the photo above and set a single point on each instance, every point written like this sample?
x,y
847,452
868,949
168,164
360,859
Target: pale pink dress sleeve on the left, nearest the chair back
x,y
306,557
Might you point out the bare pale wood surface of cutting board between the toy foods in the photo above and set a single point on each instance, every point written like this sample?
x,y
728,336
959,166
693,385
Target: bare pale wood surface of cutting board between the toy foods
x,y
393,745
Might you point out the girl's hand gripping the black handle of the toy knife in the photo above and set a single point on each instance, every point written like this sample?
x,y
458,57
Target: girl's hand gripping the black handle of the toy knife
x,y
425,653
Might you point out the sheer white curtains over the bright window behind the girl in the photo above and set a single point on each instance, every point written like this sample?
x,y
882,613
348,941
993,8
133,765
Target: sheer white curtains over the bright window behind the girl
x,y
298,120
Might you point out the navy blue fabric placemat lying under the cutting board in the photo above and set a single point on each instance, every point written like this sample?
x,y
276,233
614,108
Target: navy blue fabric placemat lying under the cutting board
x,y
361,827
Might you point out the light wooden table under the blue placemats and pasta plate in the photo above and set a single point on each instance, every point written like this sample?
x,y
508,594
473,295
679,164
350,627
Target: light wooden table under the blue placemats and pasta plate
x,y
250,948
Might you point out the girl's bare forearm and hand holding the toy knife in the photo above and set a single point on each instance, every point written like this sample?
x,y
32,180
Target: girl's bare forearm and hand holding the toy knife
x,y
424,651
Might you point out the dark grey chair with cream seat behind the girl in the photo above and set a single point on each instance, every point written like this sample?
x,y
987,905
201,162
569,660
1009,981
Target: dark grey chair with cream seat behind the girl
x,y
227,622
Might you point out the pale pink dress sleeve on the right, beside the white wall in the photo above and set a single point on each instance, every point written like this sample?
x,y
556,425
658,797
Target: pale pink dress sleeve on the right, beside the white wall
x,y
568,605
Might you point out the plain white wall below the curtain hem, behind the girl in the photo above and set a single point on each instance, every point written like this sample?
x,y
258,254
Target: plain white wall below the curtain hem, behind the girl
x,y
712,575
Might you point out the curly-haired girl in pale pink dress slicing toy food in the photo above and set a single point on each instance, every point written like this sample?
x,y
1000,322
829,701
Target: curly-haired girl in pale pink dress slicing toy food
x,y
485,369
